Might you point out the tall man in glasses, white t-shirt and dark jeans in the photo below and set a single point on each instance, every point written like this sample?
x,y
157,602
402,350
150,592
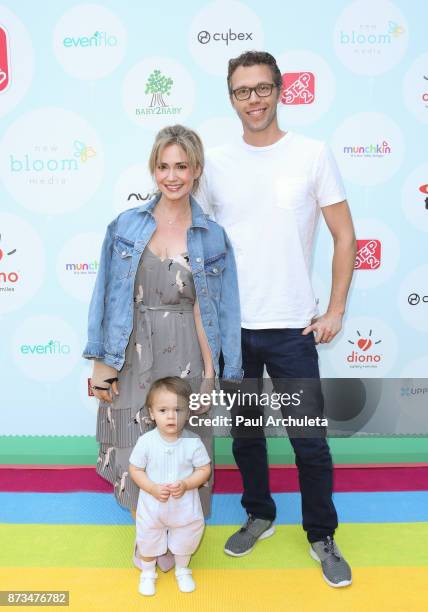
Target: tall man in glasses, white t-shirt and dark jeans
x,y
267,189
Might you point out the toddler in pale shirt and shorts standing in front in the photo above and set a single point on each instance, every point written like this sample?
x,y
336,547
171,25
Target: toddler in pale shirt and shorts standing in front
x,y
169,464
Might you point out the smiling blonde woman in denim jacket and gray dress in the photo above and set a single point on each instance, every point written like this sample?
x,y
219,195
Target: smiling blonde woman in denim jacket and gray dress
x,y
165,303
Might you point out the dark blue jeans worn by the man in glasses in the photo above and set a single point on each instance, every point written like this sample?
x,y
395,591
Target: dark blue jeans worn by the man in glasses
x,y
286,354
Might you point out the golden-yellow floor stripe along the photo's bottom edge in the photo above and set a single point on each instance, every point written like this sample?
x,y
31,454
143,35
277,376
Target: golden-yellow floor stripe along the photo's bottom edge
x,y
299,590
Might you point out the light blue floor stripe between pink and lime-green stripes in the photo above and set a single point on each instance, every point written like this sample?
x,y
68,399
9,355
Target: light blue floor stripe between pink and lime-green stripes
x,y
102,508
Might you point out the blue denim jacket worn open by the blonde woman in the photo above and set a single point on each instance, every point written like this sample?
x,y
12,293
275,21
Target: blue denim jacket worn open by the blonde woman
x,y
213,268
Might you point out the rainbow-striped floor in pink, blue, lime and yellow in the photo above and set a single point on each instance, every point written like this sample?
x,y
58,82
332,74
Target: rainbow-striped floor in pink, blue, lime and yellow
x,y
62,530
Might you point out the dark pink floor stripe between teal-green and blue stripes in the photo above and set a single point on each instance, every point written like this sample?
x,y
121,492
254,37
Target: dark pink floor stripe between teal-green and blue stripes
x,y
410,478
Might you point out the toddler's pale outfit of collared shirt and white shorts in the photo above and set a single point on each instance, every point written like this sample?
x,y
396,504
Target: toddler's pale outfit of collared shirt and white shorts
x,y
177,524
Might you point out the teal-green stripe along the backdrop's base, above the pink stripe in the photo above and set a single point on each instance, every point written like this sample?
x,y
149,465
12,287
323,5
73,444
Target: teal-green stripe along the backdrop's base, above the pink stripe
x,y
82,450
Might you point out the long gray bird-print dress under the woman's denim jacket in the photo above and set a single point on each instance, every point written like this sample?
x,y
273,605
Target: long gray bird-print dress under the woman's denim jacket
x,y
163,342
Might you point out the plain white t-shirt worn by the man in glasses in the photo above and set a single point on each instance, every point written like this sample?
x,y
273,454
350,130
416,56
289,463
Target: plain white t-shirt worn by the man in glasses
x,y
268,200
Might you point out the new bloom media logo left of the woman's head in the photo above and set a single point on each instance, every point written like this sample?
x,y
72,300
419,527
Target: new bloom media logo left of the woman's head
x,y
45,164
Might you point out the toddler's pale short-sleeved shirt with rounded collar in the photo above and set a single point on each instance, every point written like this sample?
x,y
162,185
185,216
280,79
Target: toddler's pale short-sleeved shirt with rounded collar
x,y
166,462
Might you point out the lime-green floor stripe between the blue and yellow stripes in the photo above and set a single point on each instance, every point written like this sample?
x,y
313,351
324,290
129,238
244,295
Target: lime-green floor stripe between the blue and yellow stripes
x,y
365,545
